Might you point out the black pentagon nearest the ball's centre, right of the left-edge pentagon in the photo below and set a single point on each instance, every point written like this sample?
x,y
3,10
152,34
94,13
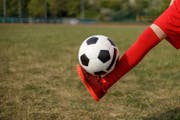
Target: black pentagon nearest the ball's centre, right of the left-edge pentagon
x,y
104,56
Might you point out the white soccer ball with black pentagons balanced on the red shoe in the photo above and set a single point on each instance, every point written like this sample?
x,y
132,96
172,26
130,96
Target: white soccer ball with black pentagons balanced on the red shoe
x,y
98,55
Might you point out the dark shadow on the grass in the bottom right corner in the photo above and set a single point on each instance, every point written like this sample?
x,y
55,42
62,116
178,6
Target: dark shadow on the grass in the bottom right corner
x,y
173,114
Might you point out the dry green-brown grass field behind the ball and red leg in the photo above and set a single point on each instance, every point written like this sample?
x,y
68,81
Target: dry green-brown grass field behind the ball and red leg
x,y
38,80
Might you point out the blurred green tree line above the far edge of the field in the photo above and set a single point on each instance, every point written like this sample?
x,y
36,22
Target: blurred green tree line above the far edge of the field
x,y
104,10
